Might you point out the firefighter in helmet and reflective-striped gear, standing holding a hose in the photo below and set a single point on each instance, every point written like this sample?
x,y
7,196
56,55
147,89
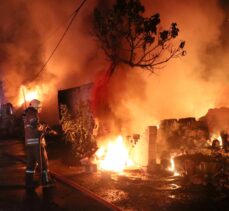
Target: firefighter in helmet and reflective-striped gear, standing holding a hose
x,y
35,146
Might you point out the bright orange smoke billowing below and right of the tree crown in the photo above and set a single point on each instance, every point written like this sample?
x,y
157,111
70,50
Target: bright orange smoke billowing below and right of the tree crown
x,y
189,86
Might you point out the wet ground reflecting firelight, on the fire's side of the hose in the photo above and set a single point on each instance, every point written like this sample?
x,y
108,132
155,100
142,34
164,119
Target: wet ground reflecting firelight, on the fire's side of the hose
x,y
136,189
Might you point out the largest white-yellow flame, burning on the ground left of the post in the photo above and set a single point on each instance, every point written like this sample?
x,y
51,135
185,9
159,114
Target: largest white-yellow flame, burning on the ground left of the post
x,y
114,157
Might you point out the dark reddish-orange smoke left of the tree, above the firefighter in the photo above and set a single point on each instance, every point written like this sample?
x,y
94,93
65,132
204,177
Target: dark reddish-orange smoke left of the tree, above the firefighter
x,y
29,33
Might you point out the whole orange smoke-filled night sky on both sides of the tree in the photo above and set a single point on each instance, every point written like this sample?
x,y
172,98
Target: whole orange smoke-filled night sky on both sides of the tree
x,y
188,86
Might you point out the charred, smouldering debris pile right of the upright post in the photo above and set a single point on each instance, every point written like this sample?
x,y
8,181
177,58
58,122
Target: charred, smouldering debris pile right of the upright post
x,y
197,153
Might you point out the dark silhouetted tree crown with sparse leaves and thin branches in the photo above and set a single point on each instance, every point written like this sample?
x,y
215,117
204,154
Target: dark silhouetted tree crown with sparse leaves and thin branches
x,y
126,36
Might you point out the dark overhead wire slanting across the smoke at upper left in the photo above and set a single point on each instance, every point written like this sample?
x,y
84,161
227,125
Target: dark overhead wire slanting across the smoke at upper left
x,y
61,39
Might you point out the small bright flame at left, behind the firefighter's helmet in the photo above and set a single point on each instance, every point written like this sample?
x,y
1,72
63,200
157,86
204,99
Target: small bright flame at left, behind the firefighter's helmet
x,y
27,94
